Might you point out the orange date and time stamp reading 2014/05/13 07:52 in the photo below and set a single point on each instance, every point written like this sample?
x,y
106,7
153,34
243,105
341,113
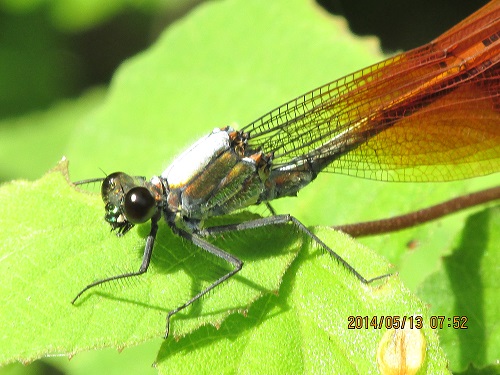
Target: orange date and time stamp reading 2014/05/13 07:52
x,y
401,322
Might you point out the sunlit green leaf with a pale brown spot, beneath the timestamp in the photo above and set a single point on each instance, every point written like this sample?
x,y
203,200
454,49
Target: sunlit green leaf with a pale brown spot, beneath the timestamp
x,y
304,328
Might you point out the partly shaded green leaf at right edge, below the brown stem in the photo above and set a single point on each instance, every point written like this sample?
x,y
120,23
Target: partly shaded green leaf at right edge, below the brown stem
x,y
467,287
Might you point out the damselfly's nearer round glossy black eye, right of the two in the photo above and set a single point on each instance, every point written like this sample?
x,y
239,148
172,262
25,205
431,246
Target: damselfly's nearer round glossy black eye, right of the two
x,y
139,205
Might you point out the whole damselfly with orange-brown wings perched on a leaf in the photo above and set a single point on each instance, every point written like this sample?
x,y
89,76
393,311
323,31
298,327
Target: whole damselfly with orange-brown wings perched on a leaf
x,y
431,114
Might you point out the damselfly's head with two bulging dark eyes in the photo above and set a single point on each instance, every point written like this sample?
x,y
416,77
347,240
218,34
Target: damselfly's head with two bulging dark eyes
x,y
129,201
